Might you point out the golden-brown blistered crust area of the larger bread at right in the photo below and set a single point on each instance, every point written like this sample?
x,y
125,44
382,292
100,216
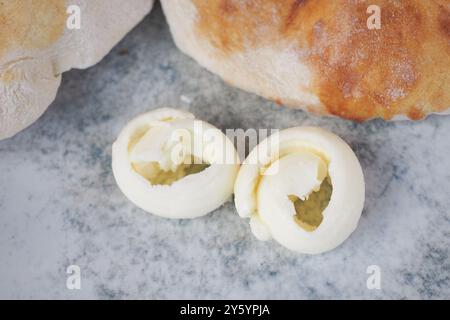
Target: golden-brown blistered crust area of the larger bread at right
x,y
359,74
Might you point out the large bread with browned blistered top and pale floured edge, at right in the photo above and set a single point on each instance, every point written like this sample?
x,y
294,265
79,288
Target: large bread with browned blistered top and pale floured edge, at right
x,y
319,55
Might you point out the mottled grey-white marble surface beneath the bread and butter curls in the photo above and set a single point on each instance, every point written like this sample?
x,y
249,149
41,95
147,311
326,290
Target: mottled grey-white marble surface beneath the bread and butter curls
x,y
60,206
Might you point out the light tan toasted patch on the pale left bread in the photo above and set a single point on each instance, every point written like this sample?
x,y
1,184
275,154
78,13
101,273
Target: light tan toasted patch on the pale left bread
x,y
30,24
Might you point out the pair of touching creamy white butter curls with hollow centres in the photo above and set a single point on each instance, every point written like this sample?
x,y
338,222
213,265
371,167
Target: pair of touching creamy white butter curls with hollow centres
x,y
302,186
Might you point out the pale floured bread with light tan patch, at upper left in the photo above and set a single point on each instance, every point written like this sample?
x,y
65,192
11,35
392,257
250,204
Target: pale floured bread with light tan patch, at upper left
x,y
36,47
